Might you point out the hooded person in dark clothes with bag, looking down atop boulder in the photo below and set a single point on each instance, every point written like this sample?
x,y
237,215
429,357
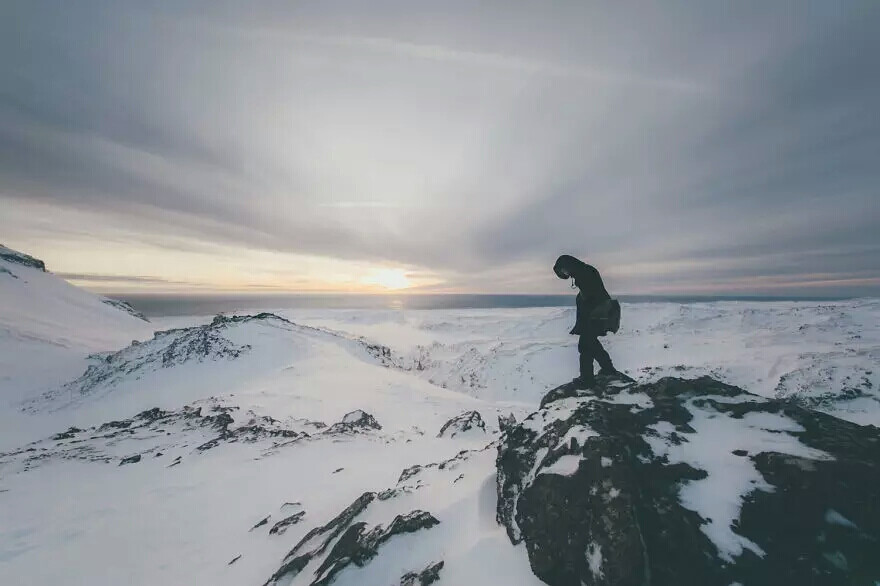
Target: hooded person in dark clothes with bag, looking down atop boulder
x,y
591,296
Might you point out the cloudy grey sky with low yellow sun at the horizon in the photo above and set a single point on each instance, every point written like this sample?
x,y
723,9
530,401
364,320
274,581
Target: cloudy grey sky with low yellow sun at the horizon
x,y
681,147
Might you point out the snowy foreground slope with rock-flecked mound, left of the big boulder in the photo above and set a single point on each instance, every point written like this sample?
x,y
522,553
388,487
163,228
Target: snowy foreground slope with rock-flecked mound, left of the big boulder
x,y
224,423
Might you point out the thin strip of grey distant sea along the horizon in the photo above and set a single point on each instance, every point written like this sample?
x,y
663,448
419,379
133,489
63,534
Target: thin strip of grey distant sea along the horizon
x,y
159,305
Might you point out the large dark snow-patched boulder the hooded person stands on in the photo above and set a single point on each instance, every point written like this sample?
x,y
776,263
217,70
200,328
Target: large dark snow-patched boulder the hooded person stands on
x,y
691,482
